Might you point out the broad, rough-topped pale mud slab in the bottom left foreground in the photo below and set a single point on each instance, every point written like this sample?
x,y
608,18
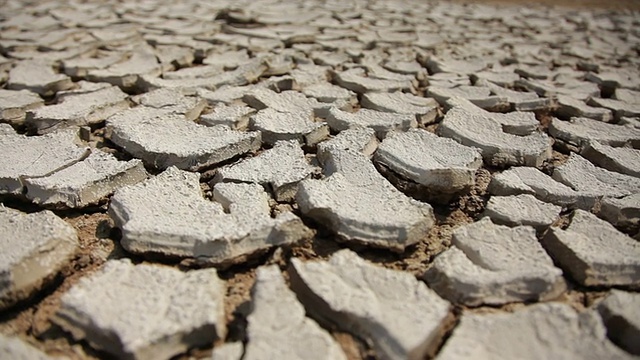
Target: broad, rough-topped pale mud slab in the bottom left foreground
x,y
152,312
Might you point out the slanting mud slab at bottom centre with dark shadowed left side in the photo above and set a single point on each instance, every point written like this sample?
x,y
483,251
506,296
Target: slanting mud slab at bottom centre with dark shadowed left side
x,y
393,310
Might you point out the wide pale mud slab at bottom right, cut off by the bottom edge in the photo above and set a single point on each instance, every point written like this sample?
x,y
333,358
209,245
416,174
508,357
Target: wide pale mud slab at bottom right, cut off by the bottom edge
x,y
536,332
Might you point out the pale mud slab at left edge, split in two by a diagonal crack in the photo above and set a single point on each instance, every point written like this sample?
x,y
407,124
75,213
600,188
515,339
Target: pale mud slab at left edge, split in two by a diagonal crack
x,y
54,171
